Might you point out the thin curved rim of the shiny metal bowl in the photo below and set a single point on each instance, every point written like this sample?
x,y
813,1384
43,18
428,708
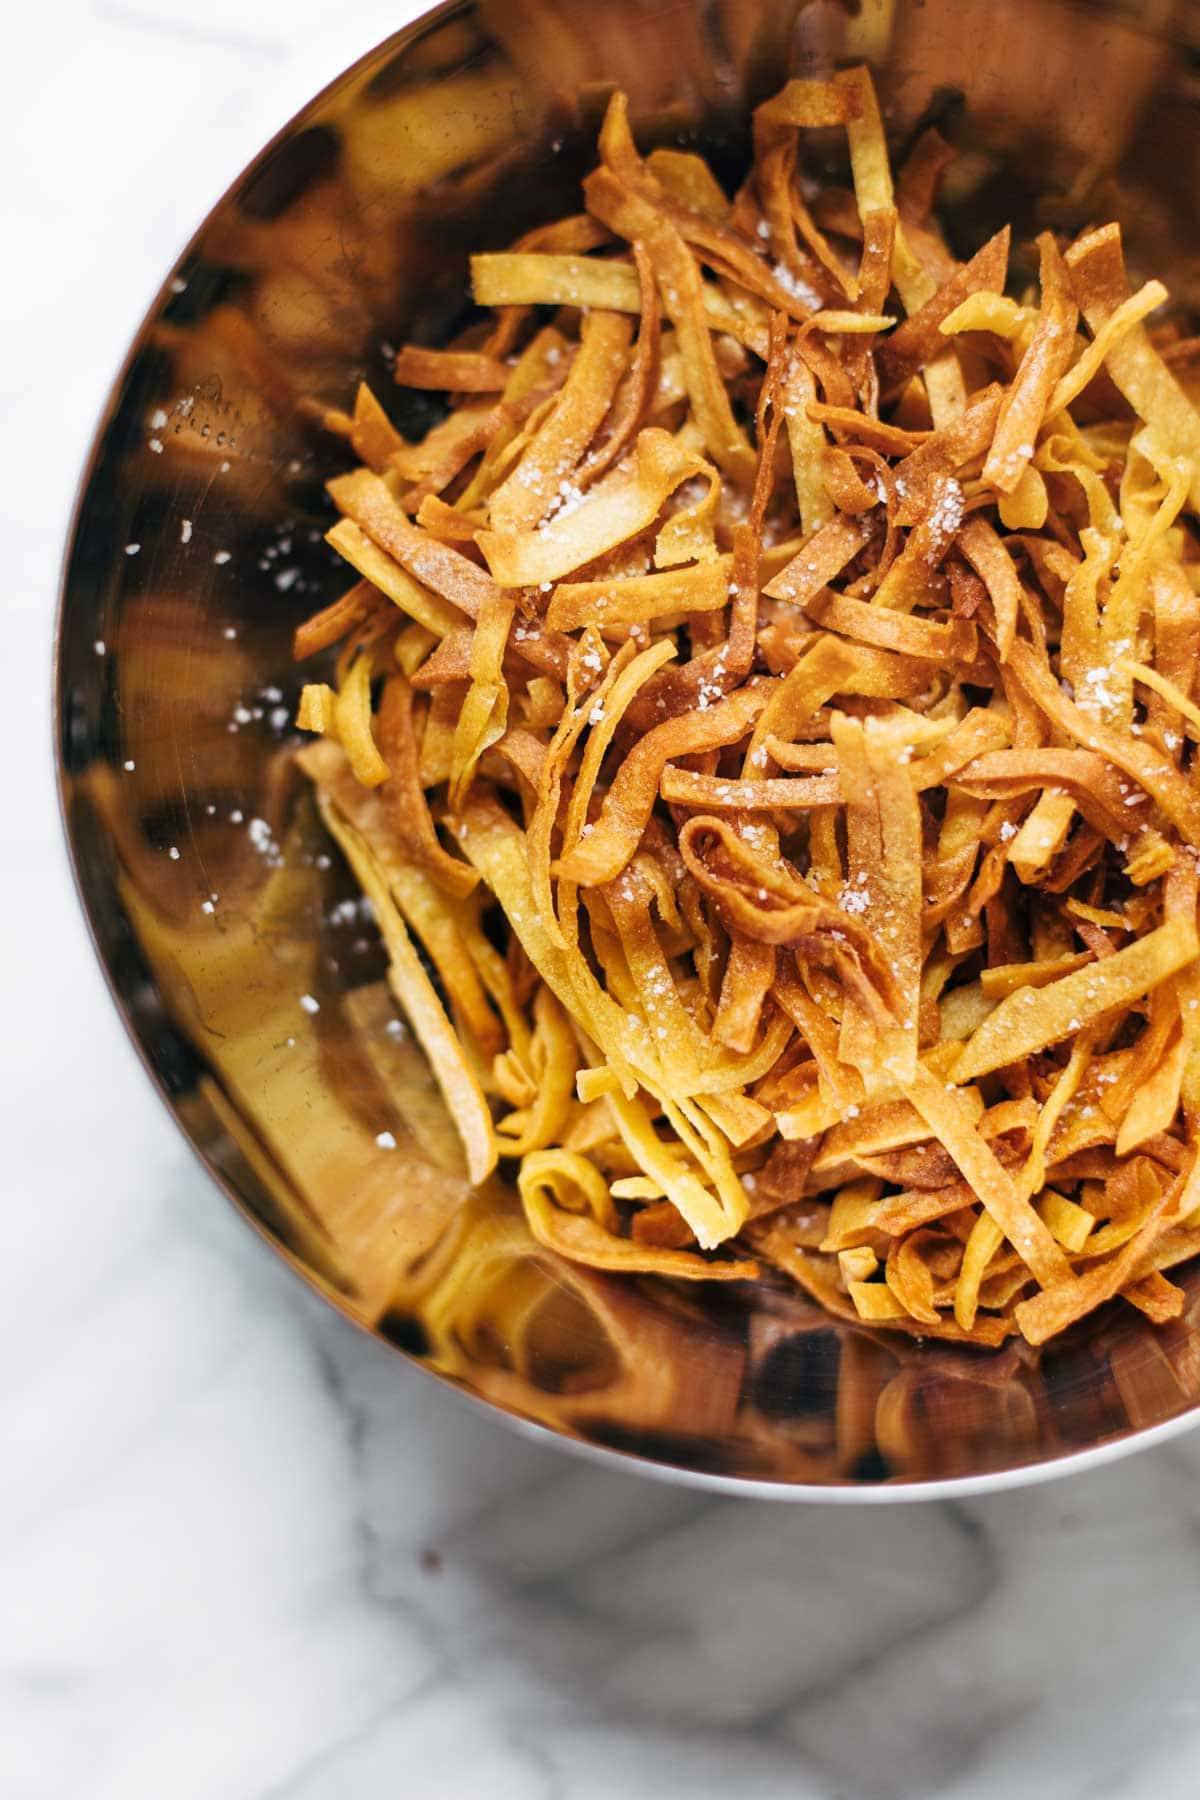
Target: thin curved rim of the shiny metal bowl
x,y
733,1488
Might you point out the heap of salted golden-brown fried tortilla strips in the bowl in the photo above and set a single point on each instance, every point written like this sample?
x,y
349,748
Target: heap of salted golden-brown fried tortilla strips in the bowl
x,y
766,730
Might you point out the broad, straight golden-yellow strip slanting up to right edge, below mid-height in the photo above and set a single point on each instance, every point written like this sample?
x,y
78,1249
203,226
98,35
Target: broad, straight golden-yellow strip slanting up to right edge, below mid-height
x,y
1035,1018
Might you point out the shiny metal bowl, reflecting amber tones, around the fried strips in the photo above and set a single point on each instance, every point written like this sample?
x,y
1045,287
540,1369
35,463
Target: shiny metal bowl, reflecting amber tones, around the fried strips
x,y
247,982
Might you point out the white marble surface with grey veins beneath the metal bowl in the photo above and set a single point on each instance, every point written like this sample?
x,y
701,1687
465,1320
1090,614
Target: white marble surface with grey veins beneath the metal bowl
x,y
244,1552
